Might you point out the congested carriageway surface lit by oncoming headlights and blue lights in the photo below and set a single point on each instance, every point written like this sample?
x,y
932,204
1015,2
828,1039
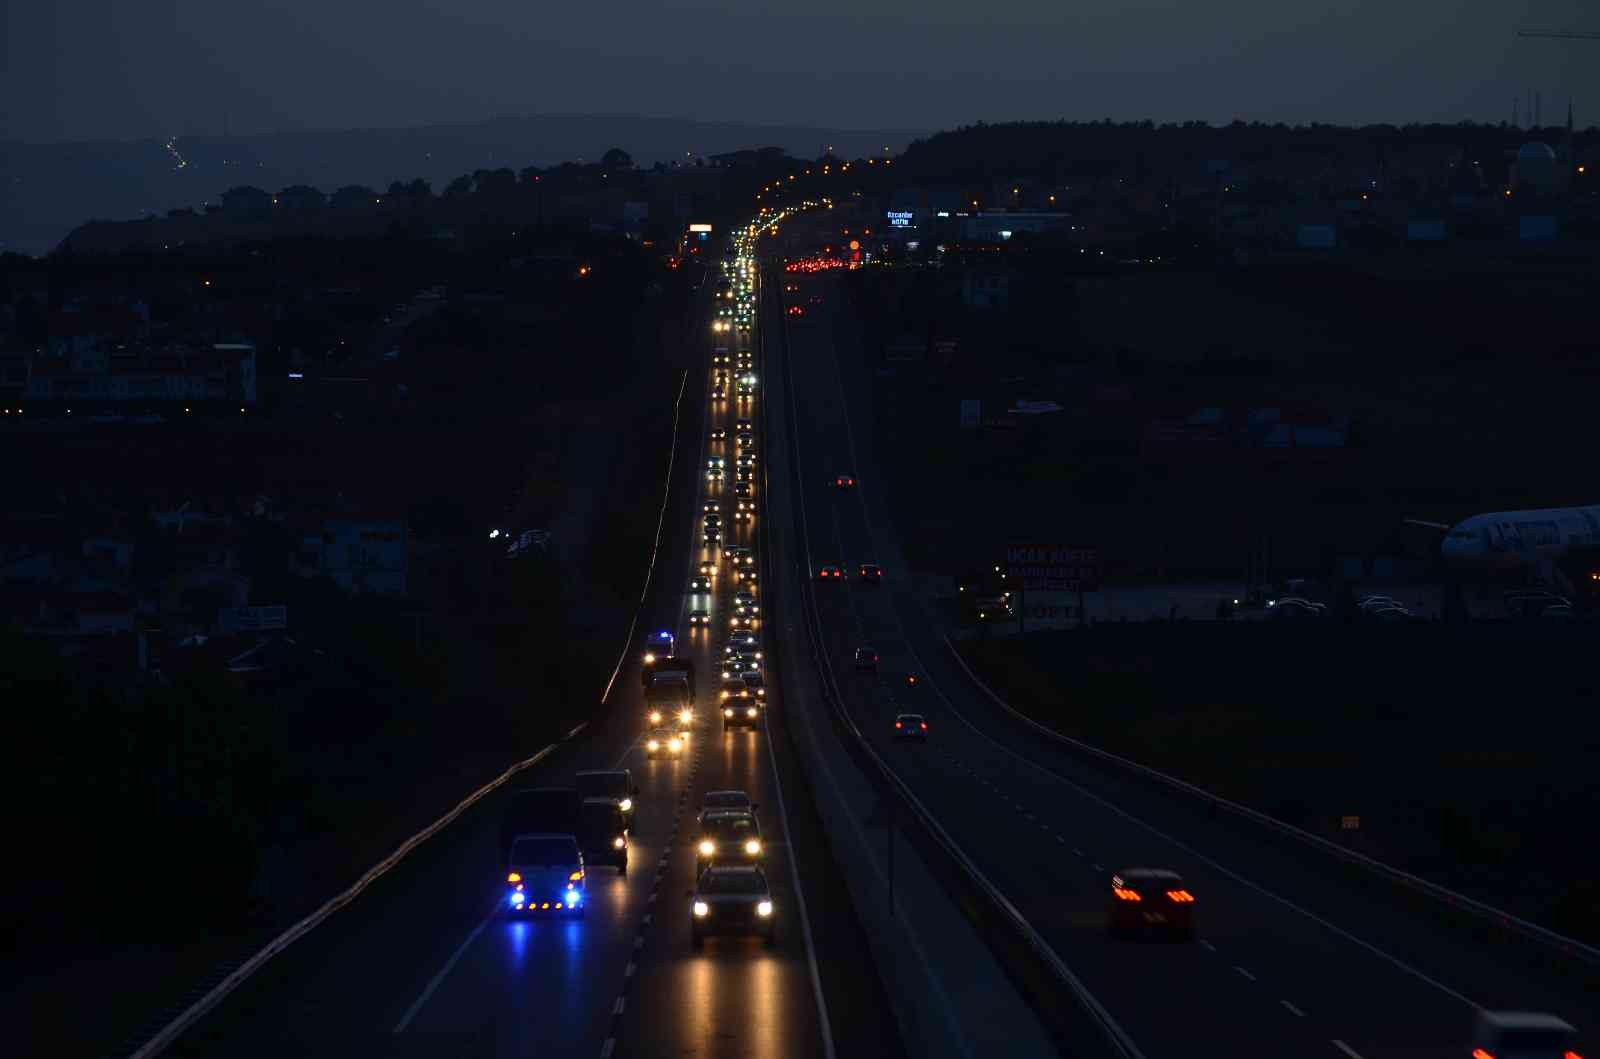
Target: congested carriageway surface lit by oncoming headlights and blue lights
x,y
426,964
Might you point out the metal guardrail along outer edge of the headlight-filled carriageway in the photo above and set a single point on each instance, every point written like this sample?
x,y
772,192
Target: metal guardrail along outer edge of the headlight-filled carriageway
x,y
236,978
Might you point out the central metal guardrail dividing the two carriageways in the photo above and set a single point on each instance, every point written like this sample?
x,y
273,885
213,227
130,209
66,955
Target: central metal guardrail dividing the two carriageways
x,y
1034,969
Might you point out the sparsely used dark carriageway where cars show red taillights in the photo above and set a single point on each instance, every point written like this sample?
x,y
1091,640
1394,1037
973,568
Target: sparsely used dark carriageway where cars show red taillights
x,y
1289,959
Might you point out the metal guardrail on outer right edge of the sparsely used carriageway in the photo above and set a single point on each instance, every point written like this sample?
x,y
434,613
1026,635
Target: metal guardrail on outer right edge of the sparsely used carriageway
x,y
1478,909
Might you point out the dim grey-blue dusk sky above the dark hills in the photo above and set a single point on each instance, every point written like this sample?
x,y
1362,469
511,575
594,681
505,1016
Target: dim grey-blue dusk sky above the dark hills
x,y
92,70
